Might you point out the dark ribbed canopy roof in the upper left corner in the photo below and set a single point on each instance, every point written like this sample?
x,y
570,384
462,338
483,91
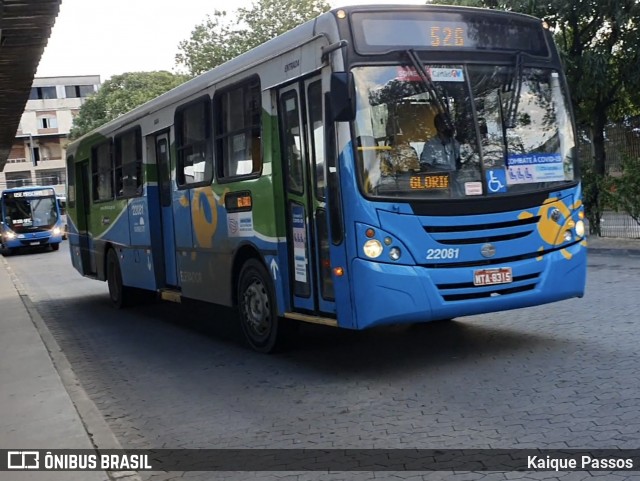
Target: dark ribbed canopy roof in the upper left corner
x,y
25,27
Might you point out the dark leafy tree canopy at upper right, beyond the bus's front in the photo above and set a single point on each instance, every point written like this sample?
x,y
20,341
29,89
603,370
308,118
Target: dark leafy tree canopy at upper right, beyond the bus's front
x,y
599,41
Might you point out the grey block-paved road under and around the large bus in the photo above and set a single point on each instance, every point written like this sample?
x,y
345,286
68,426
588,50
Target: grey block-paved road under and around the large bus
x,y
178,376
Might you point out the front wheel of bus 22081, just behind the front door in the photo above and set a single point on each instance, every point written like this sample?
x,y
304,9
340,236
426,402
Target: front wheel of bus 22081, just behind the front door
x,y
263,330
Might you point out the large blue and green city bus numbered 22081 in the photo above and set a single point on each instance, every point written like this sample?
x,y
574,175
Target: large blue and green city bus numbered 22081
x,y
288,181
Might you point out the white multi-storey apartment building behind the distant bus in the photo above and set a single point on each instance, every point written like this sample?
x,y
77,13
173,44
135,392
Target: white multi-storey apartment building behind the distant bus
x,y
37,156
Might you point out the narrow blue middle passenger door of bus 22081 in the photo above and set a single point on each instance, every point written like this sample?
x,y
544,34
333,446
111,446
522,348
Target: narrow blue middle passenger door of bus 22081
x,y
163,161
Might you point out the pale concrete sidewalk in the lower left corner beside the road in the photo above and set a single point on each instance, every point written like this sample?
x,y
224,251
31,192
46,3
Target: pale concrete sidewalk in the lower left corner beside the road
x,y
36,411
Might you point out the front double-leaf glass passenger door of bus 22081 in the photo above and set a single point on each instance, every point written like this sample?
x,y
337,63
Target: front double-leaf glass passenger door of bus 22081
x,y
302,134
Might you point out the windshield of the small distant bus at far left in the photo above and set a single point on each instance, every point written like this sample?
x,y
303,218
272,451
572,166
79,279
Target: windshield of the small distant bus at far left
x,y
30,214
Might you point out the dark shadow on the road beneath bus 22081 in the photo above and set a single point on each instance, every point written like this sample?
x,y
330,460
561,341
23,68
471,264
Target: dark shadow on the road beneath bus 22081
x,y
208,330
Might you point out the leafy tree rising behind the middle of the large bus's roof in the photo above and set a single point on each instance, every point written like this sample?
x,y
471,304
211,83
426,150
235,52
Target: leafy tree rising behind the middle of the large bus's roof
x,y
222,37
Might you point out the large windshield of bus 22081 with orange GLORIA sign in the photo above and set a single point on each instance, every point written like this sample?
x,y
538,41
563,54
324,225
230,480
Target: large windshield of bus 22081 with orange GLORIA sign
x,y
475,130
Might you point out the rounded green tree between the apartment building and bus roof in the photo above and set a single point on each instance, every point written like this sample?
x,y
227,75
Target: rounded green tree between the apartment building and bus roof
x,y
120,94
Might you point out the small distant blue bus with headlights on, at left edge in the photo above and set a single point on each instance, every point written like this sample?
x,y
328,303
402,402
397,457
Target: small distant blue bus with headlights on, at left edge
x,y
29,217
